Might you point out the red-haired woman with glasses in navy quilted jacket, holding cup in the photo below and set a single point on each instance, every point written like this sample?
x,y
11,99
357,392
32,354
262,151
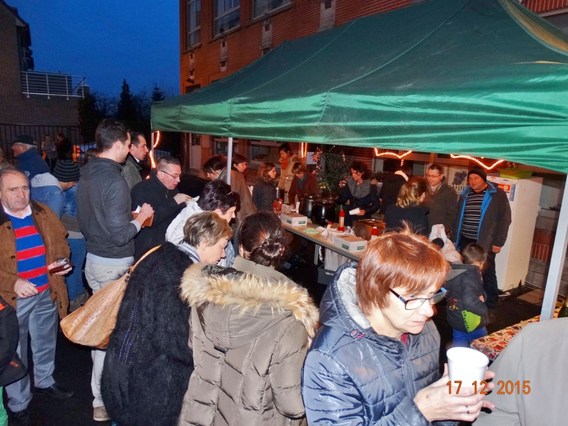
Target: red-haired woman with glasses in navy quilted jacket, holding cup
x,y
375,358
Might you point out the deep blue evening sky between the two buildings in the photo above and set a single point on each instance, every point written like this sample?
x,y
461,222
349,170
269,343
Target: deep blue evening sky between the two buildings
x,y
107,41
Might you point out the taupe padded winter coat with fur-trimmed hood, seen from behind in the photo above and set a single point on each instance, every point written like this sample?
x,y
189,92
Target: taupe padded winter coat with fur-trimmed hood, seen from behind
x,y
250,335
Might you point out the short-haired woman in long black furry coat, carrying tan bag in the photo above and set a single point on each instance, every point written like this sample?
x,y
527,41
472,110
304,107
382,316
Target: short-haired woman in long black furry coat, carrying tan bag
x,y
148,361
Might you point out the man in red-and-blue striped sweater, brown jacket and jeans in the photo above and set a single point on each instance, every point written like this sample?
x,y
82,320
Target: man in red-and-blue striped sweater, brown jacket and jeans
x,y
33,239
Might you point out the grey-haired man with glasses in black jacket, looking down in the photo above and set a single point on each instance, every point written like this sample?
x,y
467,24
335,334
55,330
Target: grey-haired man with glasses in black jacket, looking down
x,y
160,191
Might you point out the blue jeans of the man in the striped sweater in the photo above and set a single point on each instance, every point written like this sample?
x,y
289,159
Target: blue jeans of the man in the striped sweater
x,y
37,318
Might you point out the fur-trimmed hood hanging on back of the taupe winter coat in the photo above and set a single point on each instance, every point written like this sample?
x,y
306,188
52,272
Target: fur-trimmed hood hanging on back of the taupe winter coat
x,y
235,307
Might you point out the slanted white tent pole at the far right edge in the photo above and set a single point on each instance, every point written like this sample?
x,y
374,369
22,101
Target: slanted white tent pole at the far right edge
x,y
556,261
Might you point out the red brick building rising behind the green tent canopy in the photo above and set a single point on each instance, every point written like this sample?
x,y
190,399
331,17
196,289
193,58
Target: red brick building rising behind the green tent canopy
x,y
218,38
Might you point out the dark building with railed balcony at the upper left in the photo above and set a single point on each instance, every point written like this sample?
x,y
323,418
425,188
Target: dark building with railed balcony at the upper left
x,y
31,102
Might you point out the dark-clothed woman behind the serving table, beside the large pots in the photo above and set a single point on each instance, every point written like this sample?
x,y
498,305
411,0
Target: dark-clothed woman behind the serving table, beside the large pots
x,y
356,191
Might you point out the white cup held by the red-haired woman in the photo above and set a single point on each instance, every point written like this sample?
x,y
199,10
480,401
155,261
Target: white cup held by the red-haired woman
x,y
467,365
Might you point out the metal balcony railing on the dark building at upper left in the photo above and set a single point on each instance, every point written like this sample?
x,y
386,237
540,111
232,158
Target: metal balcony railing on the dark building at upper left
x,y
53,84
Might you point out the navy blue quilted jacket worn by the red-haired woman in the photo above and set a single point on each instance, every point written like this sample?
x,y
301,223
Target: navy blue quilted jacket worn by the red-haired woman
x,y
353,376
